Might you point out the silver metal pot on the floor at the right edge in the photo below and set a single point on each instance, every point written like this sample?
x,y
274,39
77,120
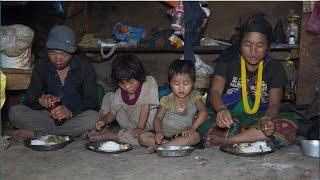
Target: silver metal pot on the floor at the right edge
x,y
310,148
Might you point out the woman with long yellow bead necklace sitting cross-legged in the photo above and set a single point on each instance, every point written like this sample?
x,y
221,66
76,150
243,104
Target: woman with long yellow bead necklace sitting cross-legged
x,y
246,93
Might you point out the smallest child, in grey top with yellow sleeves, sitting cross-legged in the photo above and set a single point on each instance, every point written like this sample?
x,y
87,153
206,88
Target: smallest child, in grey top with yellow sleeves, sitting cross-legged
x,y
175,122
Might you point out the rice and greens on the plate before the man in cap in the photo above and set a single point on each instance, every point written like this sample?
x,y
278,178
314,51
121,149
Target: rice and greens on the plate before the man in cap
x,y
49,140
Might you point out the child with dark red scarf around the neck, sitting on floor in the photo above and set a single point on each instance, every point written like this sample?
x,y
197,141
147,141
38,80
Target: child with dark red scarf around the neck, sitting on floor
x,y
133,105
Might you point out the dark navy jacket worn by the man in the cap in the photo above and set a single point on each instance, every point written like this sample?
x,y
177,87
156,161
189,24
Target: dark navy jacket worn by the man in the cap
x,y
79,91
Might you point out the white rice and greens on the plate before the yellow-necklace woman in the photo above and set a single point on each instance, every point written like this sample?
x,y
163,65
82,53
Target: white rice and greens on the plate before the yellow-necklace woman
x,y
256,147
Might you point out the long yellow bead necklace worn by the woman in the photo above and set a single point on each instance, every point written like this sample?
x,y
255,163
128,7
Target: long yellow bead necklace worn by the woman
x,y
256,105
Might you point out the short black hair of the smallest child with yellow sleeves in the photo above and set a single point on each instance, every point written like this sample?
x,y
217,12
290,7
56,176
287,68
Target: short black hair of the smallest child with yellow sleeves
x,y
182,67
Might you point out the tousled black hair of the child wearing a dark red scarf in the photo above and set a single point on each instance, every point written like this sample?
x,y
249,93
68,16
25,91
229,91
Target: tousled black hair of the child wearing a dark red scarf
x,y
126,67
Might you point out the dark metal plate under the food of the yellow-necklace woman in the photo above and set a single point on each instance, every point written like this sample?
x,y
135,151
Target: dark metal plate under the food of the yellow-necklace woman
x,y
231,150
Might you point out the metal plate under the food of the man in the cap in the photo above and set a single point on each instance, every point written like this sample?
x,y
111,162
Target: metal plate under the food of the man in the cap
x,y
53,147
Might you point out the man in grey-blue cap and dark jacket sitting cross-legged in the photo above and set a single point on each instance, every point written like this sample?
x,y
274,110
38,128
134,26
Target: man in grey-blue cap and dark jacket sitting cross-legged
x,y
63,77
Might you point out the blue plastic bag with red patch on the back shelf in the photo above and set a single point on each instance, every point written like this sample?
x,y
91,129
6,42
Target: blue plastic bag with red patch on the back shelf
x,y
125,33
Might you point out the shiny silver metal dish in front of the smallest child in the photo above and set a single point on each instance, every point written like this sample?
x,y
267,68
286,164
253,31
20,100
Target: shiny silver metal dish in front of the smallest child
x,y
174,151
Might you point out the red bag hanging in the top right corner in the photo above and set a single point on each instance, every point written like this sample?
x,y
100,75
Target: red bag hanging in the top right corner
x,y
313,22
